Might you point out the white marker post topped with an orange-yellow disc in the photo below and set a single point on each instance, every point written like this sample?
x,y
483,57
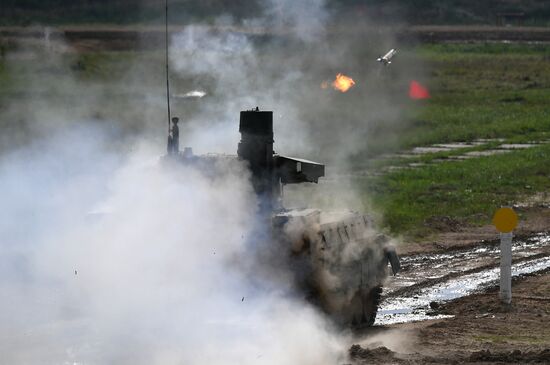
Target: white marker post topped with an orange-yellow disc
x,y
505,220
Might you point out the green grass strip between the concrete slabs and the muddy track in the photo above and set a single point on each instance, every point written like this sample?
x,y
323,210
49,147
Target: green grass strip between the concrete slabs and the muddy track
x,y
468,191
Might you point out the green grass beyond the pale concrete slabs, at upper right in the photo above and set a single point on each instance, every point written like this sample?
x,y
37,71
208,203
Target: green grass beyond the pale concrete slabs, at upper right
x,y
483,91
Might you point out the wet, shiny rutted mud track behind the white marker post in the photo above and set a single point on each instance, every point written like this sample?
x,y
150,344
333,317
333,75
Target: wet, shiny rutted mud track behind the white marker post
x,y
449,276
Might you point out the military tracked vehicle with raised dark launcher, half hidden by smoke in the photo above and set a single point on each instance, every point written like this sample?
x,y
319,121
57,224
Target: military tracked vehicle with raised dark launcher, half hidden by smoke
x,y
338,260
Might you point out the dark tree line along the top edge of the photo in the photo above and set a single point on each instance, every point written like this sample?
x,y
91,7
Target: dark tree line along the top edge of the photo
x,y
26,12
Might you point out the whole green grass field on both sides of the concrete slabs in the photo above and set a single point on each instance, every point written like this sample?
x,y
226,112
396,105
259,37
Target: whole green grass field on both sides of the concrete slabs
x,y
478,91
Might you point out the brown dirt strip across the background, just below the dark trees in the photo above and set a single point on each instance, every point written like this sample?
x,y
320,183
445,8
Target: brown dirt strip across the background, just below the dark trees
x,y
94,38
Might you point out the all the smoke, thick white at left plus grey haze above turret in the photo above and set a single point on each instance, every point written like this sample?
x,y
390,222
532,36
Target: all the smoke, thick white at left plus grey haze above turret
x,y
109,257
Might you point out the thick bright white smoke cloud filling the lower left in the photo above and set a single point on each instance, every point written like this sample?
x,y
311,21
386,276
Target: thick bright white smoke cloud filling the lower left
x,y
116,259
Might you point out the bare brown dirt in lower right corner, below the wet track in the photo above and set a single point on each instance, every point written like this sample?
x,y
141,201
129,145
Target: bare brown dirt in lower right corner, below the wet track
x,y
481,331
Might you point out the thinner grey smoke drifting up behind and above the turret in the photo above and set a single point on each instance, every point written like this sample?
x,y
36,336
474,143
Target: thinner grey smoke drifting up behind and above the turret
x,y
281,66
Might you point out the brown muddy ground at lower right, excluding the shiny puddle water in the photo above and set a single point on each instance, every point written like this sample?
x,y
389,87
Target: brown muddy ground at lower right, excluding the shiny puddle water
x,y
476,328
